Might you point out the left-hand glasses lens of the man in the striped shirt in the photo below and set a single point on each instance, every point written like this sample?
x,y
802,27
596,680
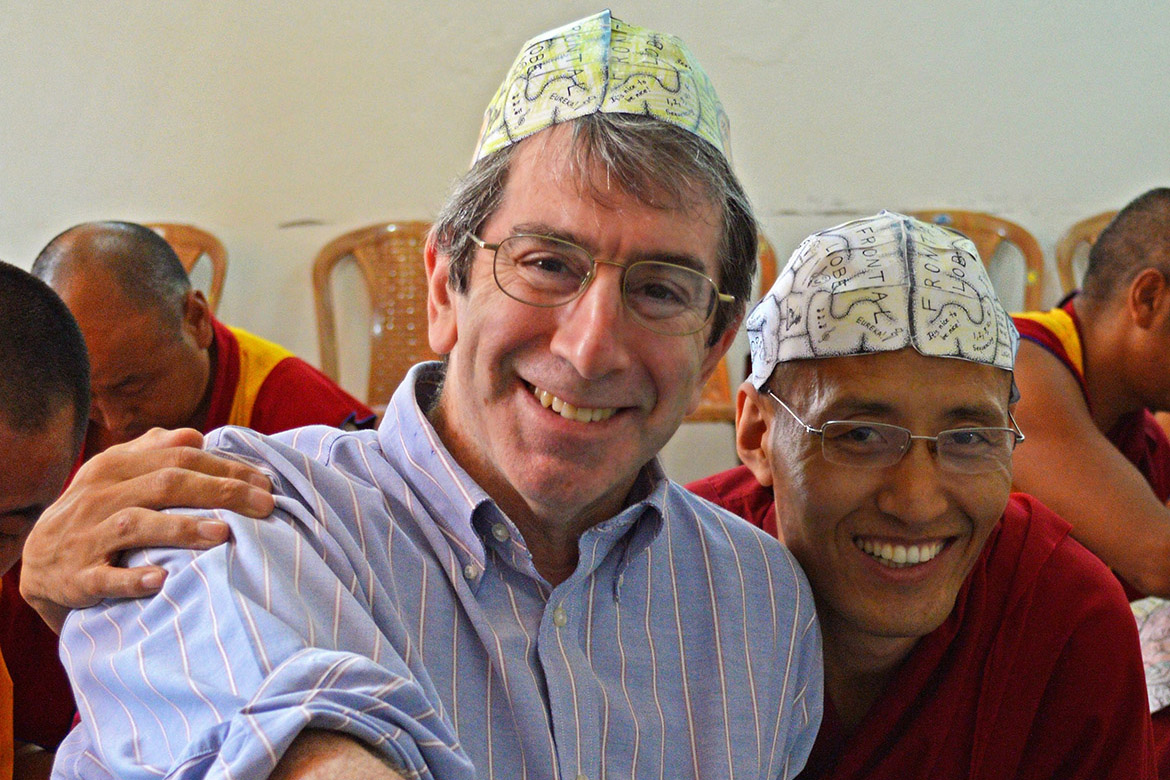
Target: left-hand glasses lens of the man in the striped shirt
x,y
541,271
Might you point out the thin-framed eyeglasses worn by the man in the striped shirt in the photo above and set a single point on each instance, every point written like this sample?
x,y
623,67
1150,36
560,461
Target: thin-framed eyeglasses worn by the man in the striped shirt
x,y
546,272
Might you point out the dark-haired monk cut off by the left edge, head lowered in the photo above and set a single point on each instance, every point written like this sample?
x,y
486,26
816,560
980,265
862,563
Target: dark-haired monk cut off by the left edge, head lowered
x,y
44,409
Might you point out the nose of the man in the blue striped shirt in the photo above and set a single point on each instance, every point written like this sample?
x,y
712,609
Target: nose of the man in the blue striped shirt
x,y
594,332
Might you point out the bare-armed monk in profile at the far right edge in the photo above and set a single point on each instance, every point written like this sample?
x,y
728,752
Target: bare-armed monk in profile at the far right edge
x,y
1091,372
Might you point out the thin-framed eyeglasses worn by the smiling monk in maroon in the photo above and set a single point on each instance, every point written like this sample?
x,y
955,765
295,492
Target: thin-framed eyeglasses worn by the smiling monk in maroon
x,y
878,445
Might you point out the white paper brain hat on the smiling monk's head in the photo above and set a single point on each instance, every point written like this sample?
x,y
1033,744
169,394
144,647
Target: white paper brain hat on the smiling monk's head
x,y
879,285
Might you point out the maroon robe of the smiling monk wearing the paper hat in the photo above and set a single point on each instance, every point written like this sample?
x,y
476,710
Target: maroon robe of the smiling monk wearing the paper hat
x,y
1037,673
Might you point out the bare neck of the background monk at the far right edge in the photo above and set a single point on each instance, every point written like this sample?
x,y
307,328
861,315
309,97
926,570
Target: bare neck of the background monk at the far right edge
x,y
1105,356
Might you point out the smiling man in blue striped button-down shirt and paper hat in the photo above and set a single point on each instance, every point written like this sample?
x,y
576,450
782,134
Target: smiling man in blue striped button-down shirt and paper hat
x,y
501,582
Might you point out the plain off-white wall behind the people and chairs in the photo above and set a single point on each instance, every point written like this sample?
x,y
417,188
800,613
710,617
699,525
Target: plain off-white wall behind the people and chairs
x,y
279,126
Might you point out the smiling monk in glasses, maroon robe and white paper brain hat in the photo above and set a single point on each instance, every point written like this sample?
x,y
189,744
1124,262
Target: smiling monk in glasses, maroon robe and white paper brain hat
x,y
967,634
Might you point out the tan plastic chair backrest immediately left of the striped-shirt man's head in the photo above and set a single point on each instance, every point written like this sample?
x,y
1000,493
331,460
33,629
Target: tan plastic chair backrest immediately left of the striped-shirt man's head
x,y
390,258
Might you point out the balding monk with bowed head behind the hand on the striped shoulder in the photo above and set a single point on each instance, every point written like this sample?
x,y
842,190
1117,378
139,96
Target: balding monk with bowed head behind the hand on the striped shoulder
x,y
159,360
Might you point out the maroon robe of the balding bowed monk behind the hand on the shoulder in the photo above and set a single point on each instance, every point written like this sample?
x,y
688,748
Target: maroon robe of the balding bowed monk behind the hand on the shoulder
x,y
294,395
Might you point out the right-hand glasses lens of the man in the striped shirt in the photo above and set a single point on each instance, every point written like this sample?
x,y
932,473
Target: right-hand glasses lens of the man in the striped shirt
x,y
670,299
